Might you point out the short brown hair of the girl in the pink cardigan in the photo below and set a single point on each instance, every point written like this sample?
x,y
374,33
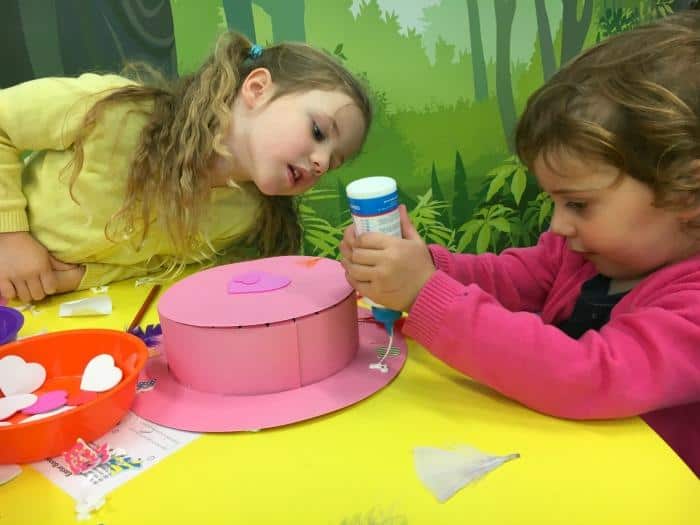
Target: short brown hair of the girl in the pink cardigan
x,y
633,102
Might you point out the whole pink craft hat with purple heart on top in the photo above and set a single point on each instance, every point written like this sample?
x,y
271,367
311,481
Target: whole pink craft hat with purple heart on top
x,y
260,344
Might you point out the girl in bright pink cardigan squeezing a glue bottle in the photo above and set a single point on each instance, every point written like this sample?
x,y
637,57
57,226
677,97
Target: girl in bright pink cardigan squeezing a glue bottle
x,y
601,319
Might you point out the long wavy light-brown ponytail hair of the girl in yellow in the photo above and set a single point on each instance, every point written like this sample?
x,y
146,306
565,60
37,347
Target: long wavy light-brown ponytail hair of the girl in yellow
x,y
188,119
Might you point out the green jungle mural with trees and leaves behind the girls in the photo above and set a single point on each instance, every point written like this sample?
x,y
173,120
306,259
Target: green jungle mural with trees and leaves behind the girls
x,y
448,79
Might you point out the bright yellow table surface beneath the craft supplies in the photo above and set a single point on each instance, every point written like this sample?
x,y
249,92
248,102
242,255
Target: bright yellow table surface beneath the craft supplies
x,y
355,466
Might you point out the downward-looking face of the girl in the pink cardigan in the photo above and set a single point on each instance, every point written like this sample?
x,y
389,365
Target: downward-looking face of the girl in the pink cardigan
x,y
609,218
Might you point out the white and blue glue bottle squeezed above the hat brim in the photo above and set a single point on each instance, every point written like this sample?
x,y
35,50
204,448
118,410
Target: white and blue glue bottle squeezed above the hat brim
x,y
374,206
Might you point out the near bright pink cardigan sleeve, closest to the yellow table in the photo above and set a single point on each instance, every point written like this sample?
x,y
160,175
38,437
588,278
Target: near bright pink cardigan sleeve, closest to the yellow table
x,y
645,358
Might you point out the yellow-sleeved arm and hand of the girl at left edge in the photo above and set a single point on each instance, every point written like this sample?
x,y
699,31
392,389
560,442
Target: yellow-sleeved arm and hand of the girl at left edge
x,y
37,115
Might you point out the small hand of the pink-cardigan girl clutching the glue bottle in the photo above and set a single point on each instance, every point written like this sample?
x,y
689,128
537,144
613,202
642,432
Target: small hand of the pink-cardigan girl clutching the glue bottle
x,y
388,270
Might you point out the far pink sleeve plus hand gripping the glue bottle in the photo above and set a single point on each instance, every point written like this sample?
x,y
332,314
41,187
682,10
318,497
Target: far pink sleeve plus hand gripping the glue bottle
x,y
392,271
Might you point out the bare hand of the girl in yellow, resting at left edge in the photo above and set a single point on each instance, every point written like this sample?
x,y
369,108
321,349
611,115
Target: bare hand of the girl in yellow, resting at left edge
x,y
27,272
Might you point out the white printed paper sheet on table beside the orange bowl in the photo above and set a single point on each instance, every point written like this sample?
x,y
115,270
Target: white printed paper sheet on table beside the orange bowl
x,y
134,445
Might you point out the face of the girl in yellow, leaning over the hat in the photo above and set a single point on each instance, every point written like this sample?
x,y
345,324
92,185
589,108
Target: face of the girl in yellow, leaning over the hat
x,y
285,145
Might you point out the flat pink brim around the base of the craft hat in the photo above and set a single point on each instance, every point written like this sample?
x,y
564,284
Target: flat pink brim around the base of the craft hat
x,y
174,405
